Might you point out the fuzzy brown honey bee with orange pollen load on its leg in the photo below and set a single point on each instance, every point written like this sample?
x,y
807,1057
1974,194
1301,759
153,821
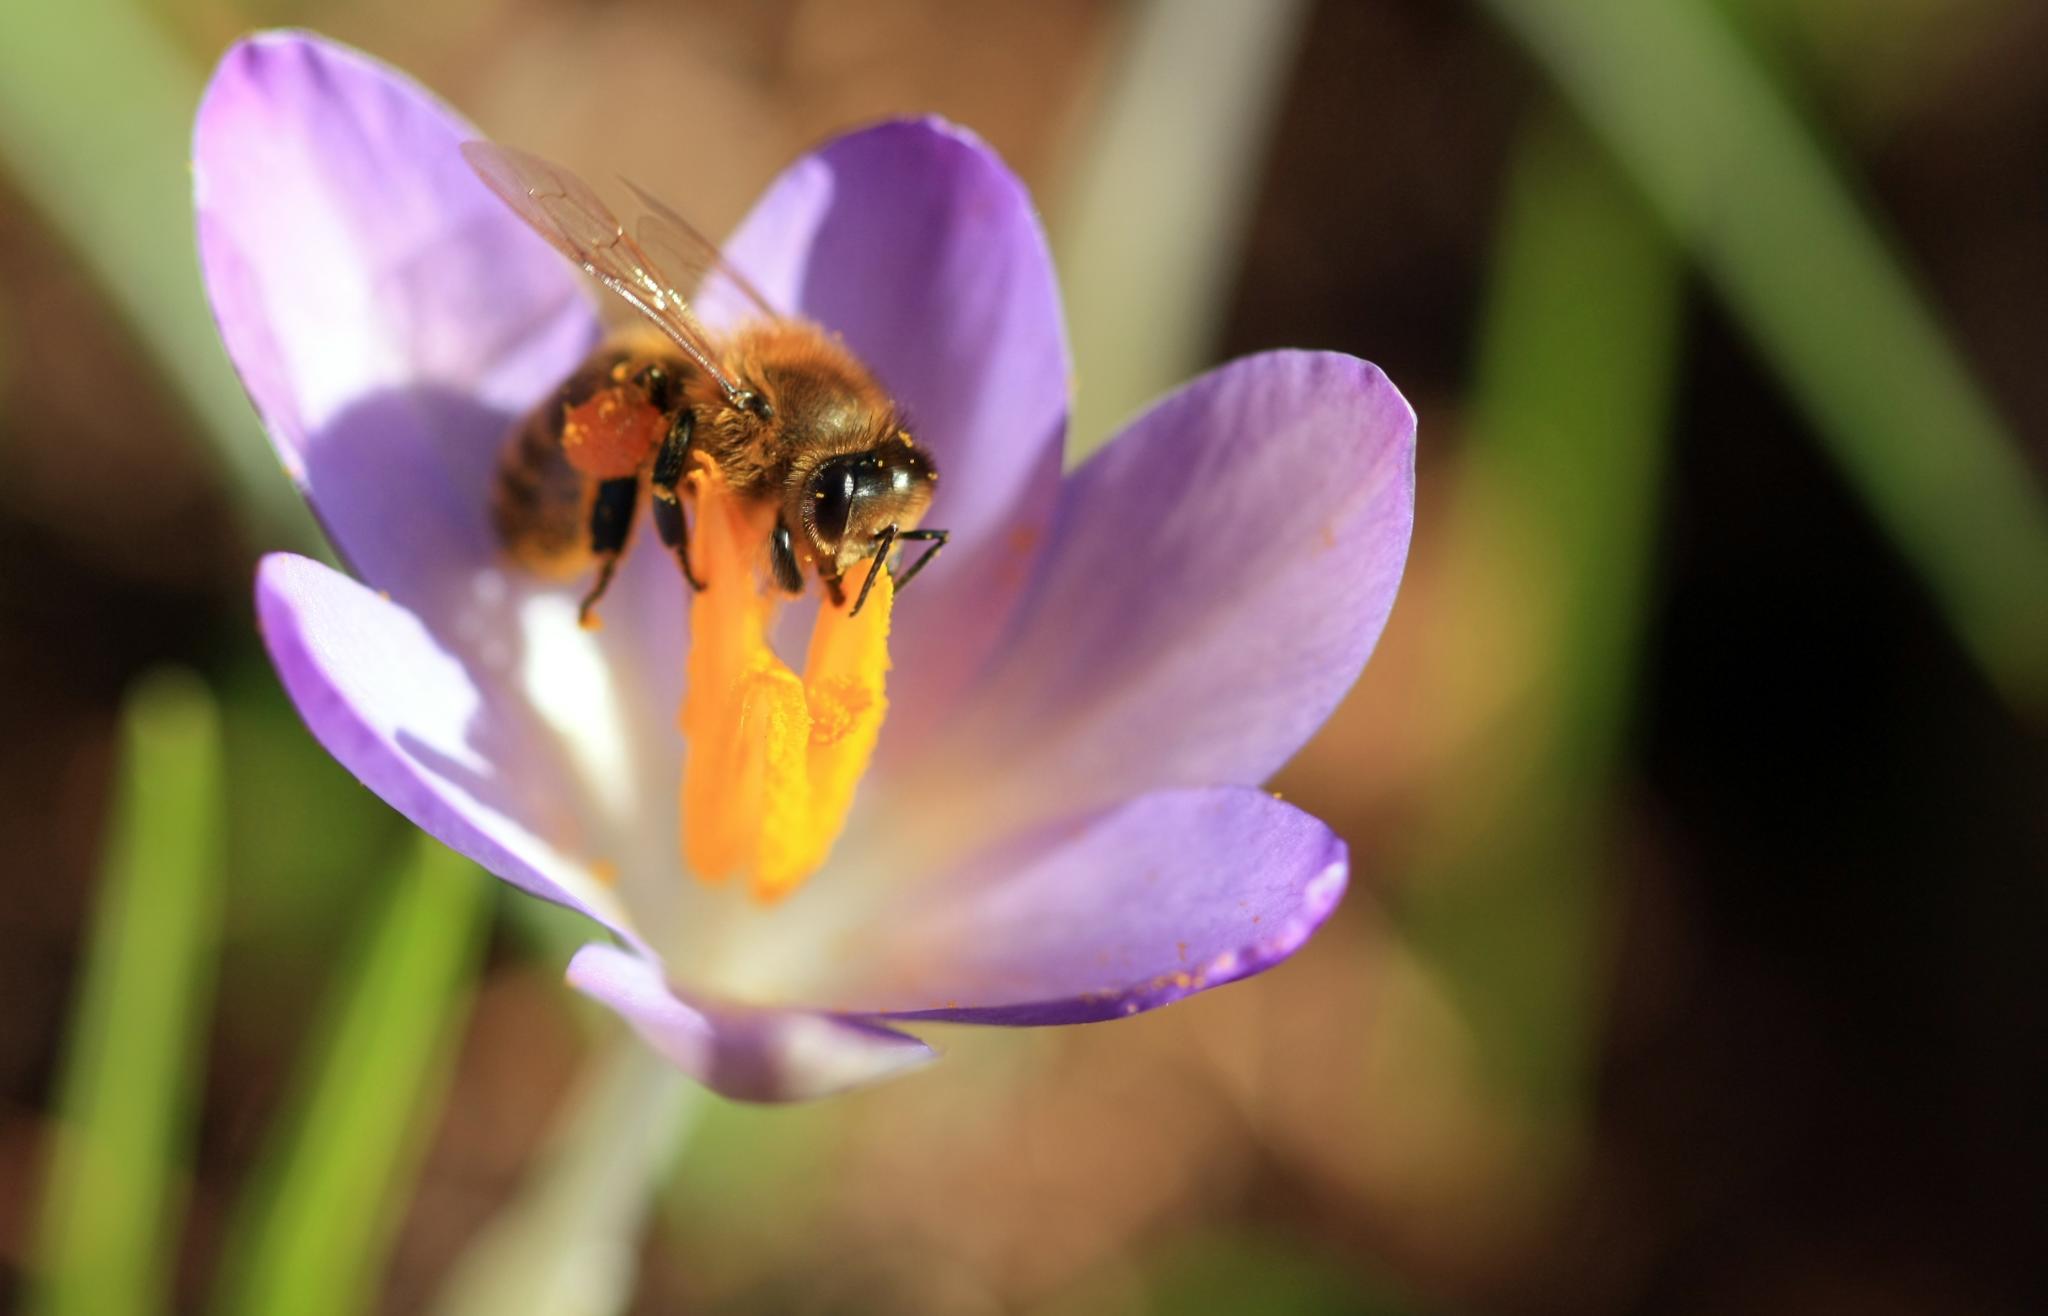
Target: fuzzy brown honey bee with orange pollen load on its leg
x,y
779,406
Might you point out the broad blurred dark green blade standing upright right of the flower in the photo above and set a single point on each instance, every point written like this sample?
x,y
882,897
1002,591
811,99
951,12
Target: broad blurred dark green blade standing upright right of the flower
x,y
1555,523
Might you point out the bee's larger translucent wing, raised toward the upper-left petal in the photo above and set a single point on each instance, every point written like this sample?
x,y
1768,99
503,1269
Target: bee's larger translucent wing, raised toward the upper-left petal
x,y
562,208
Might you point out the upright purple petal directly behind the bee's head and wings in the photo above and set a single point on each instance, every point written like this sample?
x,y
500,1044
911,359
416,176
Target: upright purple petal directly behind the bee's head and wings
x,y
923,249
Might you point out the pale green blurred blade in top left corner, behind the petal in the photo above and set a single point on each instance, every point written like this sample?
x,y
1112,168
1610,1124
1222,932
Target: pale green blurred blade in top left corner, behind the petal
x,y
95,128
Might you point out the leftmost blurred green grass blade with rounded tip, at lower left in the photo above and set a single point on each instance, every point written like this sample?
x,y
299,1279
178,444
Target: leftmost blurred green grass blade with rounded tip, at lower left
x,y
126,1096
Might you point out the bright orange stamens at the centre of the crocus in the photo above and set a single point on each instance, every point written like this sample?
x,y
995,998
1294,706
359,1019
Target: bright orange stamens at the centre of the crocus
x,y
773,760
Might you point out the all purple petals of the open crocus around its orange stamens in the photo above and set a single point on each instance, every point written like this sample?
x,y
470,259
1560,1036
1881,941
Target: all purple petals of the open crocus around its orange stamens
x,y
1064,820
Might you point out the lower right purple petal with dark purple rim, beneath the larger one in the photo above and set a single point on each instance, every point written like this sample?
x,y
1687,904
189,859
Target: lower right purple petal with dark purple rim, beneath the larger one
x,y
1125,912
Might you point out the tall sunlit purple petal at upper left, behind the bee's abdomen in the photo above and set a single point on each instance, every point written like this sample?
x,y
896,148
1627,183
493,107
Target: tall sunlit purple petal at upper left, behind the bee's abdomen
x,y
386,312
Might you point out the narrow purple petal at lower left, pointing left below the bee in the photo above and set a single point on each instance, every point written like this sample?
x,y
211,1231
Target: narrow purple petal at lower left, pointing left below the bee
x,y
415,726
